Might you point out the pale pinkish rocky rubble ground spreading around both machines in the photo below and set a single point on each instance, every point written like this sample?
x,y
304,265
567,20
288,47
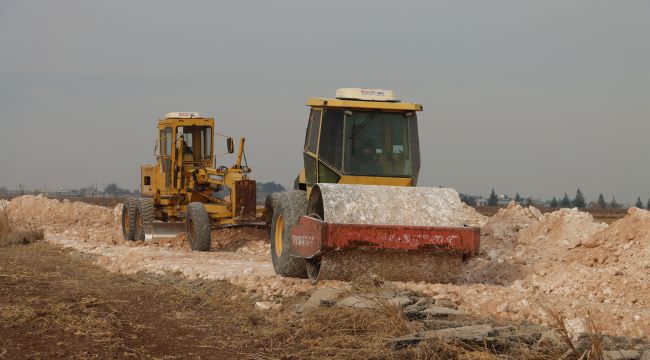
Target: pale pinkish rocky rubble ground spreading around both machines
x,y
555,270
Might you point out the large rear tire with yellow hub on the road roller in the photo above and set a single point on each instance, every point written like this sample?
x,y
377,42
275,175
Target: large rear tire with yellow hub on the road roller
x,y
290,206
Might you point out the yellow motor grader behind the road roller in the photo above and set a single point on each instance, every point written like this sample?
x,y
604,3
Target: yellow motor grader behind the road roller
x,y
185,192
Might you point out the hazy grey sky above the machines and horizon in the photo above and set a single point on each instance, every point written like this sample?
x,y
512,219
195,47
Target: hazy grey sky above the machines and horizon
x,y
538,97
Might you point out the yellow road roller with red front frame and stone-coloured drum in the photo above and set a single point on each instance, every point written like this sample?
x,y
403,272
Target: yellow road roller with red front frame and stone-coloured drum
x,y
355,208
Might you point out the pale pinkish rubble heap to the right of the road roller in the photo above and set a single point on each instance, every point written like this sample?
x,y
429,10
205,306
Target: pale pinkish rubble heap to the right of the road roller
x,y
563,261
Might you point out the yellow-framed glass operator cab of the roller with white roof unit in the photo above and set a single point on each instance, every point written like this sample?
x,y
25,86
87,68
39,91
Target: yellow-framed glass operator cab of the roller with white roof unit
x,y
362,136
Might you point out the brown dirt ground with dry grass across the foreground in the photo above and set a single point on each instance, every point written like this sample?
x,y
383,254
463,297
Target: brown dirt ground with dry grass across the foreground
x,y
55,303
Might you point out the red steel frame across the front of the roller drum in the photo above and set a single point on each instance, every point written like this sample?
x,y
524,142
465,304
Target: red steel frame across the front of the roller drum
x,y
311,237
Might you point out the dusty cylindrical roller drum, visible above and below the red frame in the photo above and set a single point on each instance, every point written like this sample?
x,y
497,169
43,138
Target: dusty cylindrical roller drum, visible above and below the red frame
x,y
387,205
